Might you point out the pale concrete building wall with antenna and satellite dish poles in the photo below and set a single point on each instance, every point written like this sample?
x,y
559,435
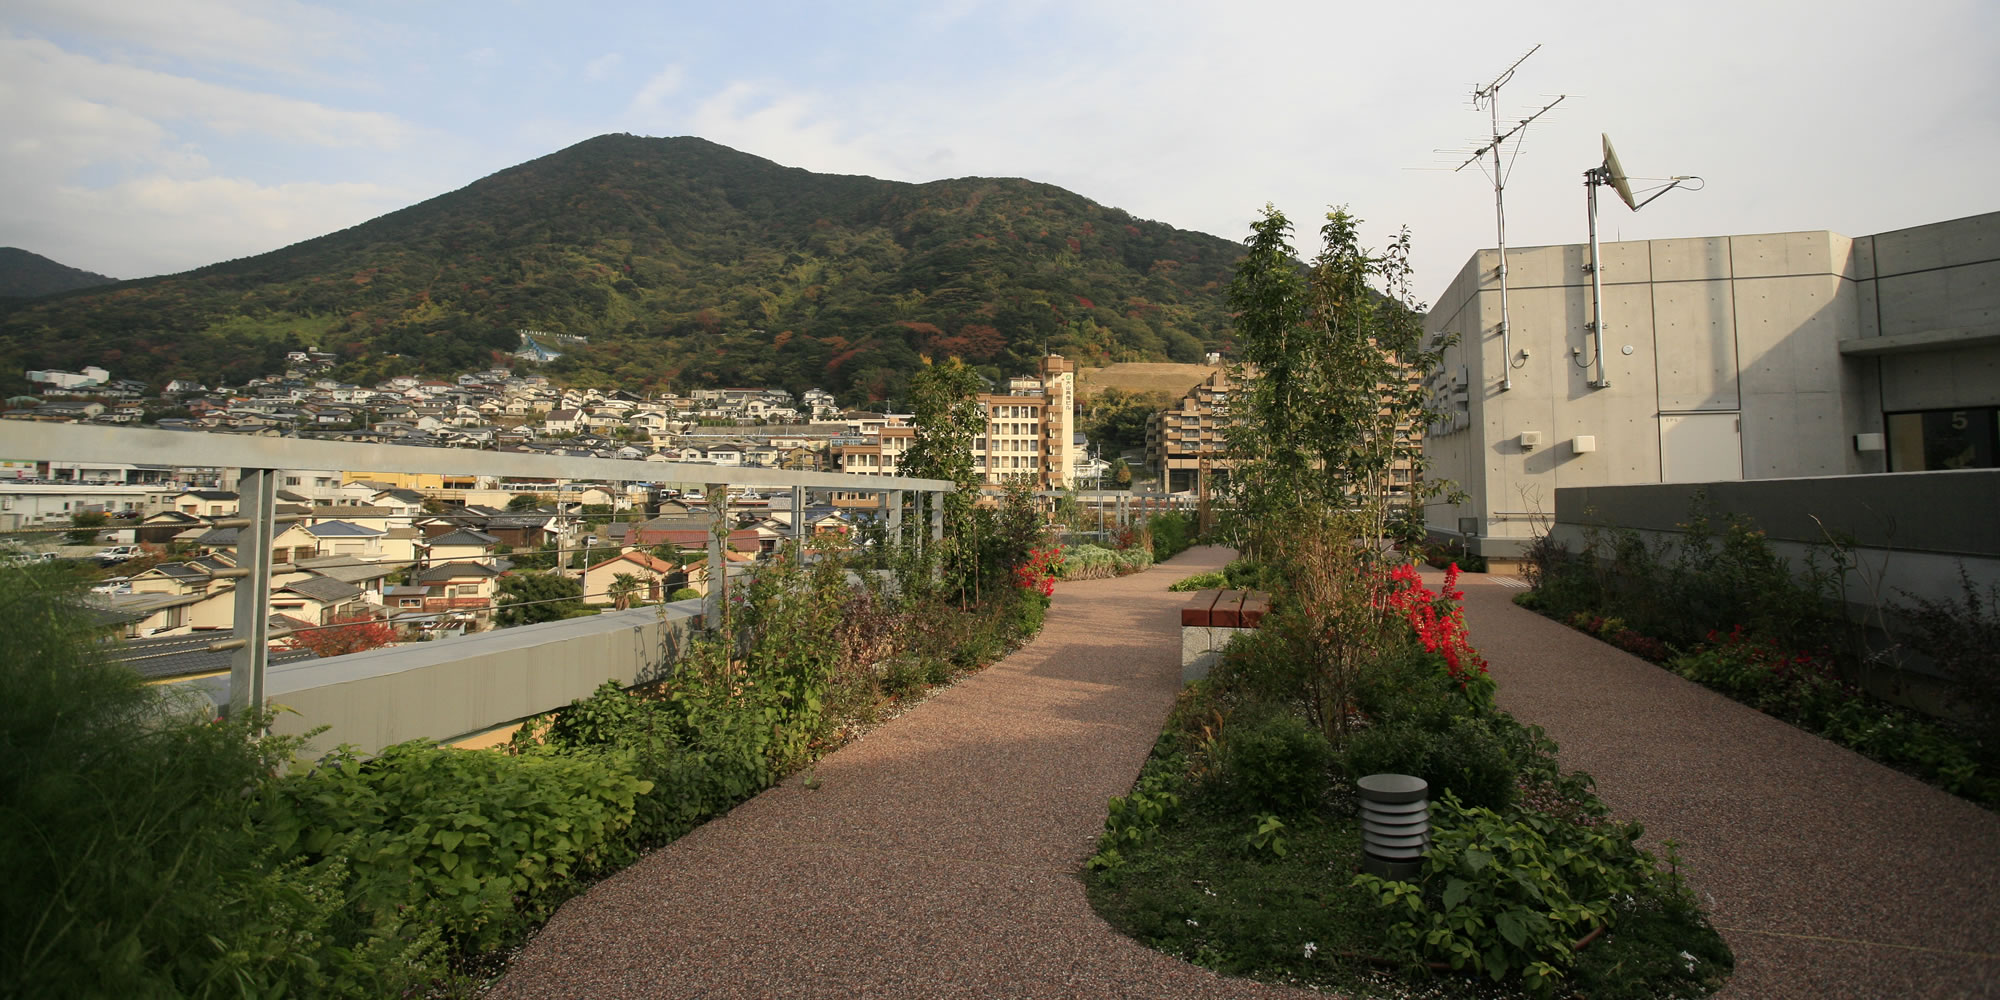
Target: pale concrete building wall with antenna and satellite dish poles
x,y
1727,357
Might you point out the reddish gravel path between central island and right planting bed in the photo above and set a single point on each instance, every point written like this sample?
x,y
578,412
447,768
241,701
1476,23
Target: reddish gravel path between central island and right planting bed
x,y
1829,875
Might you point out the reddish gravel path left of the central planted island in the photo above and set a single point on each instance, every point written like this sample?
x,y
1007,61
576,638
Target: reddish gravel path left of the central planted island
x,y
939,855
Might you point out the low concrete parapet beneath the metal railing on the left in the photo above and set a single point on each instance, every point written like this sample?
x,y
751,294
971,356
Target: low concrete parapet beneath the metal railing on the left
x,y
459,687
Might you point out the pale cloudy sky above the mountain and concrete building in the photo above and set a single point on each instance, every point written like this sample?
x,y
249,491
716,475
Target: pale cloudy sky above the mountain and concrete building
x,y
157,137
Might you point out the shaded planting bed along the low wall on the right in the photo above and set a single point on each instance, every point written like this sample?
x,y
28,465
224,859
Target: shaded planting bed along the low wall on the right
x,y
1719,607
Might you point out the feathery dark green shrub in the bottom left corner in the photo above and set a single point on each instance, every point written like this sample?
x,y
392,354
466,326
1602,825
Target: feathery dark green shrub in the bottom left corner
x,y
127,843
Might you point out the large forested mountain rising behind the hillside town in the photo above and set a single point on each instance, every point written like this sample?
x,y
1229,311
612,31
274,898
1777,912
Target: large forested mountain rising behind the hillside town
x,y
687,265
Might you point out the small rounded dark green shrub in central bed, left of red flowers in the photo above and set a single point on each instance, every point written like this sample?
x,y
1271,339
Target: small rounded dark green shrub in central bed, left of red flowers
x,y
1273,761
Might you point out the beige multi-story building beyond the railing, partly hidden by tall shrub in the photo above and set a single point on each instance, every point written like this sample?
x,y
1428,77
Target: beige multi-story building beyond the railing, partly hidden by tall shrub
x,y
1029,433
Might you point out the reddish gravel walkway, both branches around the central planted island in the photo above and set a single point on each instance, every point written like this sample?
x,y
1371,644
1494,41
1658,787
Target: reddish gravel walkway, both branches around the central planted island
x,y
939,855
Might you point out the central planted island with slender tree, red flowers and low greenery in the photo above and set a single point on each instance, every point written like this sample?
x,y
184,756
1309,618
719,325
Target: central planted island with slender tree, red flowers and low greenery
x,y
1241,843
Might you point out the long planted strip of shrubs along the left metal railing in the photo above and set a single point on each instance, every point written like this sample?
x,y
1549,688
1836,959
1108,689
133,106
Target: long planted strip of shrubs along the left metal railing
x,y
155,851
